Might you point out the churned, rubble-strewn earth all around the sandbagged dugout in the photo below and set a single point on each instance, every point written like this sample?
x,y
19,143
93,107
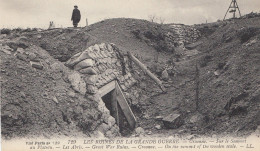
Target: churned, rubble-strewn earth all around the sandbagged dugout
x,y
225,85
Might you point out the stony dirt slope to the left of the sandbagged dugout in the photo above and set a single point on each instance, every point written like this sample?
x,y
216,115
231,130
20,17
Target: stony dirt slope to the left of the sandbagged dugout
x,y
37,101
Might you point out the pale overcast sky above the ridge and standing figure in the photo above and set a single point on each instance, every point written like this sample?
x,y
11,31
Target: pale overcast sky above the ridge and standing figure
x,y
38,13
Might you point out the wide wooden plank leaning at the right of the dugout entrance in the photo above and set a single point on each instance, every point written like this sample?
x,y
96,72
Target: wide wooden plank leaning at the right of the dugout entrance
x,y
125,107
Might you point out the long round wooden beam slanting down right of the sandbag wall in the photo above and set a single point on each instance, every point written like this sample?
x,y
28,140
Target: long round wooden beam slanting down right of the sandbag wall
x,y
144,68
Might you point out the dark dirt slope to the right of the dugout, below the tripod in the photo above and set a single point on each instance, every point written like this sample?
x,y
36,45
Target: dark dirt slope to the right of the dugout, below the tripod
x,y
228,65
